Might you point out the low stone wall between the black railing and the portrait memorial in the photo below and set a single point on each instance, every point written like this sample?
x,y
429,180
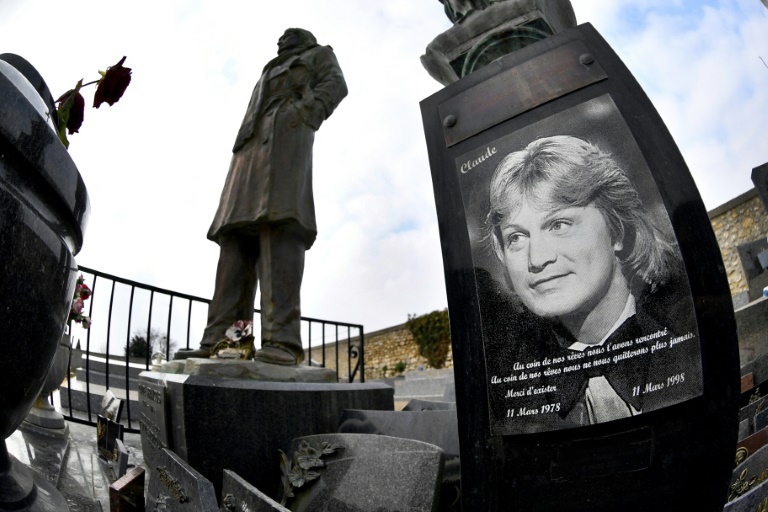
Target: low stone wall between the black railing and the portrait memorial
x,y
384,351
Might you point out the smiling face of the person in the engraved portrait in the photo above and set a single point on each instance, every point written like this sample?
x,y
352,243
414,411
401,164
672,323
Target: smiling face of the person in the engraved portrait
x,y
560,259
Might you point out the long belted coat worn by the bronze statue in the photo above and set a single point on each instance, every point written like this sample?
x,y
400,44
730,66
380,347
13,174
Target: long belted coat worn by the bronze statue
x,y
270,175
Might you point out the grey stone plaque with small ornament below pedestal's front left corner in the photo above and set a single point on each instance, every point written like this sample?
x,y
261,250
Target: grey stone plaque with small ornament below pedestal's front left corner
x,y
175,486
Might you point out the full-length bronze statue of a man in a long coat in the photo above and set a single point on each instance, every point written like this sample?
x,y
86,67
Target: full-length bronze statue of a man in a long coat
x,y
266,216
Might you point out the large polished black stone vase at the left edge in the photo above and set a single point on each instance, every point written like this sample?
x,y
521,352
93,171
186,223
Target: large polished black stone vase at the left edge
x,y
43,210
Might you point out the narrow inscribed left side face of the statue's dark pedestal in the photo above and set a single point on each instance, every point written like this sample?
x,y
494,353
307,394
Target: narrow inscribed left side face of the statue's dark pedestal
x,y
153,421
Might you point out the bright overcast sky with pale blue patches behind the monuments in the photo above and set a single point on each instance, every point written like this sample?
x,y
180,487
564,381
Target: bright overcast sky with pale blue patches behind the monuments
x,y
155,162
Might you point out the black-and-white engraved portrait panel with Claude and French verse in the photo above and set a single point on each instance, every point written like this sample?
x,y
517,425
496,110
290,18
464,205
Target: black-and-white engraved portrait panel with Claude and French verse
x,y
587,315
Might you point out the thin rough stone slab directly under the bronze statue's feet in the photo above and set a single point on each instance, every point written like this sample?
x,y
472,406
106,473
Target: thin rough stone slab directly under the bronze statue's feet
x,y
248,370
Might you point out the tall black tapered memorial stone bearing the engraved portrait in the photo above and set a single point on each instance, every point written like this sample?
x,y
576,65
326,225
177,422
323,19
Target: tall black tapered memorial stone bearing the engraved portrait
x,y
591,320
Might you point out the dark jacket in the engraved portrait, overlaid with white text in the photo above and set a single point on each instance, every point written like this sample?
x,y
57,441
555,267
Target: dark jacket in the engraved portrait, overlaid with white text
x,y
647,381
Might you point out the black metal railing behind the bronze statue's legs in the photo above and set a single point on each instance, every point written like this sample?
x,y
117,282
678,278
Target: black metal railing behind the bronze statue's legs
x,y
93,366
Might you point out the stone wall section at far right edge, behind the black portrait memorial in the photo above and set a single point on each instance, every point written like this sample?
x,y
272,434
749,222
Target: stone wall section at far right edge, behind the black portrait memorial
x,y
740,220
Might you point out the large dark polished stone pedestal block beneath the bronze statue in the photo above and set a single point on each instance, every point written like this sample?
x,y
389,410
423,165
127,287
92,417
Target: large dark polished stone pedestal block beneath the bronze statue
x,y
239,423
